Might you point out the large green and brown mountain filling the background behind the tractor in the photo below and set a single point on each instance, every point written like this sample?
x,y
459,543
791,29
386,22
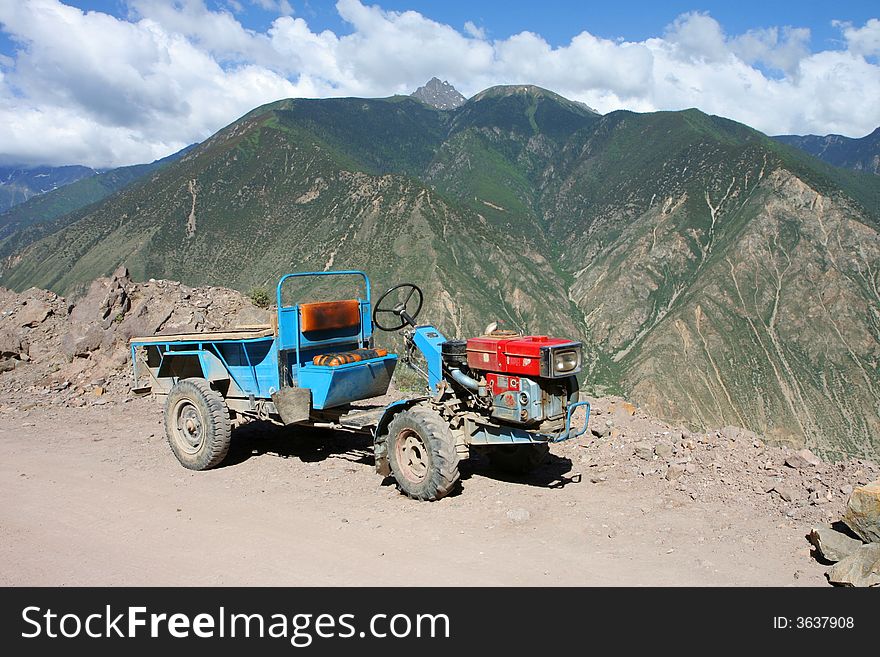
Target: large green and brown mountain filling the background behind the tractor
x,y
716,276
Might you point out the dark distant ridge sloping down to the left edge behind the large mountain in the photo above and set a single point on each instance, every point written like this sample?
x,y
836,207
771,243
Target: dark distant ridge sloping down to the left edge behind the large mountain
x,y
78,194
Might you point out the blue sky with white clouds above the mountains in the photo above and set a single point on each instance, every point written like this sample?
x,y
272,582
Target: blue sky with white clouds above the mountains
x,y
115,82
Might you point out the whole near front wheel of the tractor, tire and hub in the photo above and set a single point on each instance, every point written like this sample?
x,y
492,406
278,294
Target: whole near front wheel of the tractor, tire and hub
x,y
421,453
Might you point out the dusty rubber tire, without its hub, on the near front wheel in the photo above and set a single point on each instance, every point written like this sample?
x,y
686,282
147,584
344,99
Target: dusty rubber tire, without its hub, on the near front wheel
x,y
442,474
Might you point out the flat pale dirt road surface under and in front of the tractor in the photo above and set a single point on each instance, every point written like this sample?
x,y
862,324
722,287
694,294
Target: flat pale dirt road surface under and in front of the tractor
x,y
93,496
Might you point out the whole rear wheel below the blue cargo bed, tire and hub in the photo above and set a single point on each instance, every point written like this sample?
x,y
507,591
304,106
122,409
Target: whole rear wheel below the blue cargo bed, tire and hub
x,y
197,424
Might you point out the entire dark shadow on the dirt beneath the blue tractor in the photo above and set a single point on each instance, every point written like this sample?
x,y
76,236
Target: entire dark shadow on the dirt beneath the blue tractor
x,y
308,444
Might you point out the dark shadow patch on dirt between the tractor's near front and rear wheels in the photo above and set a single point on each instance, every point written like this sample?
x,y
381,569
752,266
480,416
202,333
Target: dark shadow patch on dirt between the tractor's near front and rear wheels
x,y
307,444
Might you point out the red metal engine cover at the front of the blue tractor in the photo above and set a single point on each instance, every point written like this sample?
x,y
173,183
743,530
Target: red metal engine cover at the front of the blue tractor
x,y
531,355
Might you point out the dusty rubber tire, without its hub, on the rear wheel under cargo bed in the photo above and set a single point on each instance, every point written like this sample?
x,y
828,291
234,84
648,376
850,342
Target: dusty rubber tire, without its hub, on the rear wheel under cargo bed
x,y
214,417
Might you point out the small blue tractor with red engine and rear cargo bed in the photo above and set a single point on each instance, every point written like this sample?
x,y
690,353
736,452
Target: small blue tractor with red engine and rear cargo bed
x,y
505,394
